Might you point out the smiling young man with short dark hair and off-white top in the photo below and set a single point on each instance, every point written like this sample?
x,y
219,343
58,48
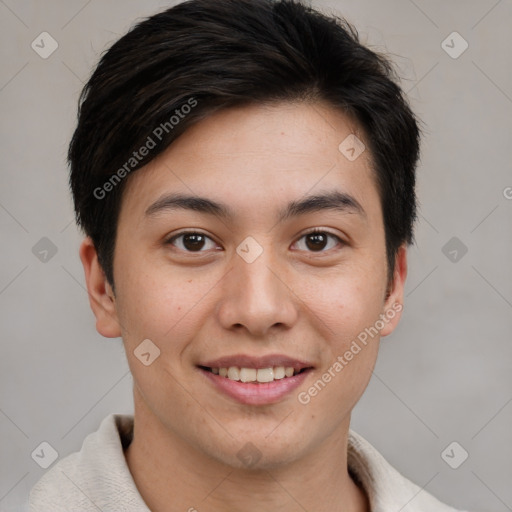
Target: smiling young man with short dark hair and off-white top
x,y
244,173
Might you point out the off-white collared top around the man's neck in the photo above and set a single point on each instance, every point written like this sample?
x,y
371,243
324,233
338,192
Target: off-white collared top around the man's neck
x,y
98,477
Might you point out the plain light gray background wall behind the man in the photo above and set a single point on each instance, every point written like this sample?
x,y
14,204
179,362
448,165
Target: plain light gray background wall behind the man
x,y
444,375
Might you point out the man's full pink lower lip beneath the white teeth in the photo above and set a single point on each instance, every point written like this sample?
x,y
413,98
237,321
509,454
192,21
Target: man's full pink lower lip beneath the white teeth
x,y
254,393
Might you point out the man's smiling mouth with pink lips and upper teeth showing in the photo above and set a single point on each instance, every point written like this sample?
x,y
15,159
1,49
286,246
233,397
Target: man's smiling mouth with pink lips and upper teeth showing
x,y
256,381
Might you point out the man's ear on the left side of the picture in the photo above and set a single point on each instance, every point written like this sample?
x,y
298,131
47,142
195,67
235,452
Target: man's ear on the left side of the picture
x,y
101,296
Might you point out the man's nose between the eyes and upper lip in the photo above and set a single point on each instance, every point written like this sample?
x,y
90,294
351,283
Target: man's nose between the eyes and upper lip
x,y
256,297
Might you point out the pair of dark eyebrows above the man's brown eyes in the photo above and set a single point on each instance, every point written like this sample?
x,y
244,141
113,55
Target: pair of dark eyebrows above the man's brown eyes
x,y
332,200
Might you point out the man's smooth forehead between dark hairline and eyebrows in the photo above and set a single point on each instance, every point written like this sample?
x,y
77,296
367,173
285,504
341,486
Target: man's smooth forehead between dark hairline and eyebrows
x,y
257,156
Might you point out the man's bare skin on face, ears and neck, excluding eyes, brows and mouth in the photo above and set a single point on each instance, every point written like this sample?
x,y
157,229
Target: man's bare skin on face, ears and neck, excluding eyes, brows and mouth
x,y
296,298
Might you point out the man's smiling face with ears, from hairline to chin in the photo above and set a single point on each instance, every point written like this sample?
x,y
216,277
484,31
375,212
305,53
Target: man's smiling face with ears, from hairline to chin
x,y
244,283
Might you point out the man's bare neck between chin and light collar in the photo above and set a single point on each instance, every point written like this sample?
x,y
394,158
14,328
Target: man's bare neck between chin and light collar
x,y
170,474
